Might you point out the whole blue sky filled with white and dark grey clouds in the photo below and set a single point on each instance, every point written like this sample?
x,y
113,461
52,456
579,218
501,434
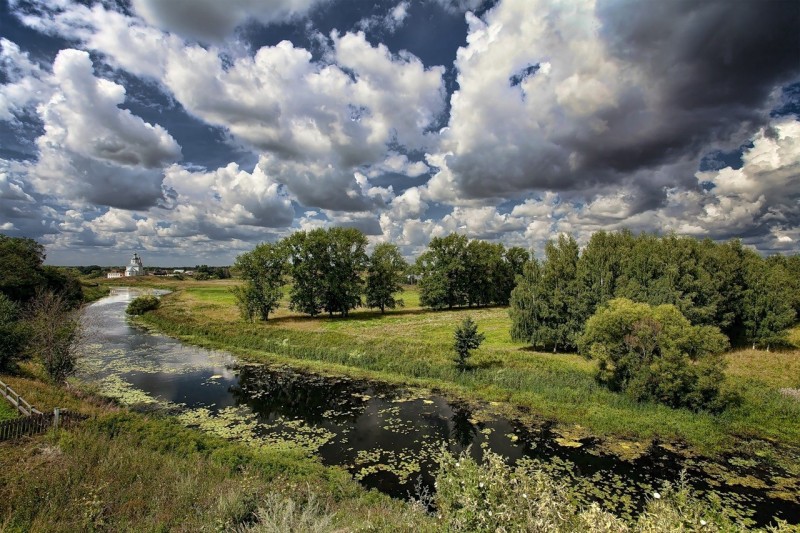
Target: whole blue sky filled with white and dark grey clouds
x,y
191,130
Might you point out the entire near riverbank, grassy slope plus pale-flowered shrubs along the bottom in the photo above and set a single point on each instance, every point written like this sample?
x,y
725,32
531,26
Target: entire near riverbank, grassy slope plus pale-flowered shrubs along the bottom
x,y
123,471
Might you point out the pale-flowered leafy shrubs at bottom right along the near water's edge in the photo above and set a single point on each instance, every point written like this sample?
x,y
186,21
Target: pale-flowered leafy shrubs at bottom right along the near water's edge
x,y
494,496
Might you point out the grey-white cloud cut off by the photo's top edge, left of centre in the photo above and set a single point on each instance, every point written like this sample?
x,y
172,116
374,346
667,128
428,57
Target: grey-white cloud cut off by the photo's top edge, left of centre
x,y
212,20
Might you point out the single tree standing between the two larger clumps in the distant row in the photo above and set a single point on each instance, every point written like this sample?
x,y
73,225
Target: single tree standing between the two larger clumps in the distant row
x,y
385,277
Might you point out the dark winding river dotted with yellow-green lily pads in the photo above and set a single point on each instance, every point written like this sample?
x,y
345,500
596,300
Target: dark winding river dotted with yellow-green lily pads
x,y
388,438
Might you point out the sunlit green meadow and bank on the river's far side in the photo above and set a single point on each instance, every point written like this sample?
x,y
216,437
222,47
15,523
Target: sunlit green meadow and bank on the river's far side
x,y
414,346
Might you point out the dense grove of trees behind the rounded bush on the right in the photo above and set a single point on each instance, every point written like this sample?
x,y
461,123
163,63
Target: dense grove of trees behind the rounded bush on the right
x,y
749,298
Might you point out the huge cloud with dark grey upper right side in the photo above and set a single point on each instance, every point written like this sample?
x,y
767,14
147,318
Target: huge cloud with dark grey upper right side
x,y
608,94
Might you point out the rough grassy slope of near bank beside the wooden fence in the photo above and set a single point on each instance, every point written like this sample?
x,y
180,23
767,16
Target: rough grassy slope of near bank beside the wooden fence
x,y
122,471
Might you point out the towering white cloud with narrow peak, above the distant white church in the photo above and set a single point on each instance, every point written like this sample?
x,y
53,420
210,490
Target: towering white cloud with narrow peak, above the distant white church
x,y
92,149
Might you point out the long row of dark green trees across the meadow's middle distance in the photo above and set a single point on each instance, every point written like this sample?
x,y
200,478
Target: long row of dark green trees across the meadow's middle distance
x,y
330,272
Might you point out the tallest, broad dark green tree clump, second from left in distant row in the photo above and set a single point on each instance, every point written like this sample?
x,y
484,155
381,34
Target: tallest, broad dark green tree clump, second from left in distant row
x,y
325,269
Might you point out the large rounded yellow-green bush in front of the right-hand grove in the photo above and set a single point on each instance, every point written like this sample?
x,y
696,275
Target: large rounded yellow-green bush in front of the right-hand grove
x,y
654,353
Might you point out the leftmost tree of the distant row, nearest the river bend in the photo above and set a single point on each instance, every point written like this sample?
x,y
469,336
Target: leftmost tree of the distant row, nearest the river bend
x,y
263,270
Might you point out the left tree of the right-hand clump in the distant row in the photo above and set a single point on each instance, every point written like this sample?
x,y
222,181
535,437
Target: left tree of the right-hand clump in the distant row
x,y
442,271
